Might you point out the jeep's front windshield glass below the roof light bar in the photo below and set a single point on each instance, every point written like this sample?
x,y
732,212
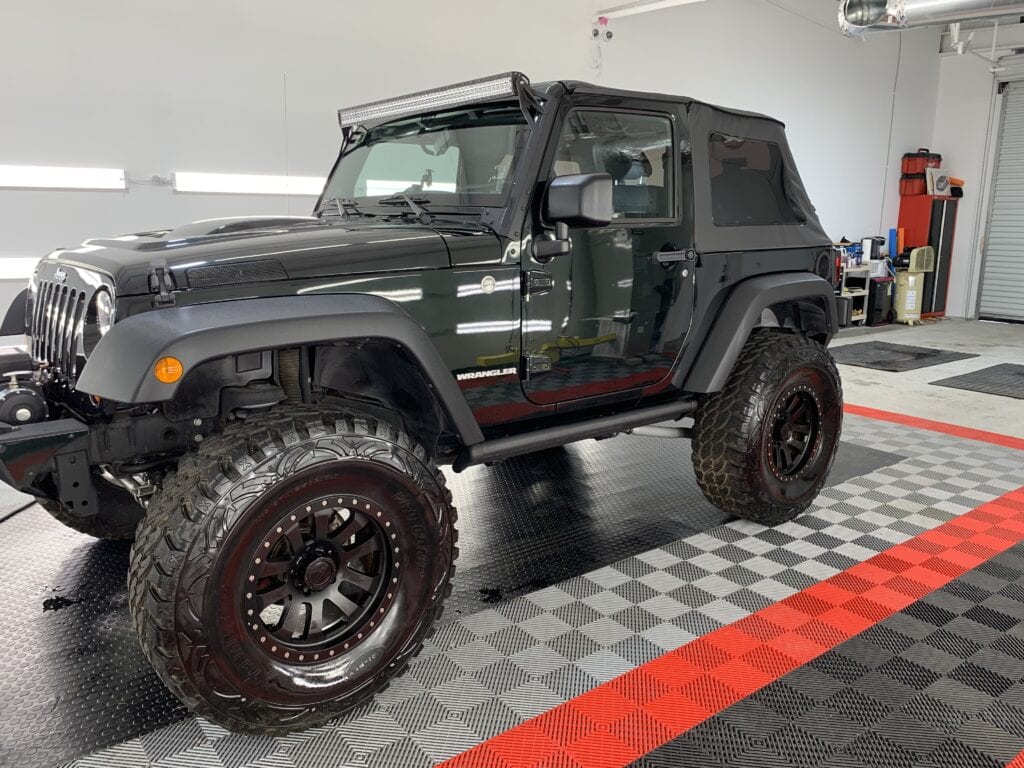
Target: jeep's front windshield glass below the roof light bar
x,y
455,160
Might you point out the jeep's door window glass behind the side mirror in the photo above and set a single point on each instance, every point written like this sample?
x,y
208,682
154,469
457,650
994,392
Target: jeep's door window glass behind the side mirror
x,y
634,149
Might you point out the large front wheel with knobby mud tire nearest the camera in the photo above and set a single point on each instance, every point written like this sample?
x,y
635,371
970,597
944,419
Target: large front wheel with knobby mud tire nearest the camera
x,y
292,567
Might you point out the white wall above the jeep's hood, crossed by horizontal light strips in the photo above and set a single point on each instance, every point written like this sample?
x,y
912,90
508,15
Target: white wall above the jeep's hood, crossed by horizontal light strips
x,y
232,86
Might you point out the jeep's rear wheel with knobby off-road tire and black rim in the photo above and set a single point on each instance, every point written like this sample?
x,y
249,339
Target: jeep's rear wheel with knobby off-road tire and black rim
x,y
763,447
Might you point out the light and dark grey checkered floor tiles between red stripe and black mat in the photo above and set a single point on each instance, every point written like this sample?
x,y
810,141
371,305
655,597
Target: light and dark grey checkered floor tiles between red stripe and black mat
x,y
493,670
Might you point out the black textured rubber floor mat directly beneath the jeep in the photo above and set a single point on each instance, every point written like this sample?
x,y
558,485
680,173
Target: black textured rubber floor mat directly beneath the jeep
x,y
74,679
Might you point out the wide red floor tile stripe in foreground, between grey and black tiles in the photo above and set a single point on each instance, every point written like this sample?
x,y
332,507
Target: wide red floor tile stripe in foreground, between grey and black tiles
x,y
620,721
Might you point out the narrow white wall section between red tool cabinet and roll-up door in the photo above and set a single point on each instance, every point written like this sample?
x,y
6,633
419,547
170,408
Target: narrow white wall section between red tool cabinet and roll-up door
x,y
962,131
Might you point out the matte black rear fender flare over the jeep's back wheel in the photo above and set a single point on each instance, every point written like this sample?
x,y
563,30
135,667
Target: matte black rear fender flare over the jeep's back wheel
x,y
741,314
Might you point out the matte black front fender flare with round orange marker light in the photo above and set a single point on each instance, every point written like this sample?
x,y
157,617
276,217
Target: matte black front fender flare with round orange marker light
x,y
120,369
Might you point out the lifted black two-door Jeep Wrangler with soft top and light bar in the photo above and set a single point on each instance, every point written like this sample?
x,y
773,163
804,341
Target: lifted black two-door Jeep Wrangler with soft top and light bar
x,y
493,269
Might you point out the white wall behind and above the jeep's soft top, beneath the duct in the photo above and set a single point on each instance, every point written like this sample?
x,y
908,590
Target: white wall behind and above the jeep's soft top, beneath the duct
x,y
834,94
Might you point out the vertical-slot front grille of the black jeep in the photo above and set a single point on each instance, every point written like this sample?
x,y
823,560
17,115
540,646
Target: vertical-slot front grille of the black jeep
x,y
58,314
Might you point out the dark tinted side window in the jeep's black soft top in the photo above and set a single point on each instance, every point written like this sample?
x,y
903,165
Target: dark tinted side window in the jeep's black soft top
x,y
748,184
